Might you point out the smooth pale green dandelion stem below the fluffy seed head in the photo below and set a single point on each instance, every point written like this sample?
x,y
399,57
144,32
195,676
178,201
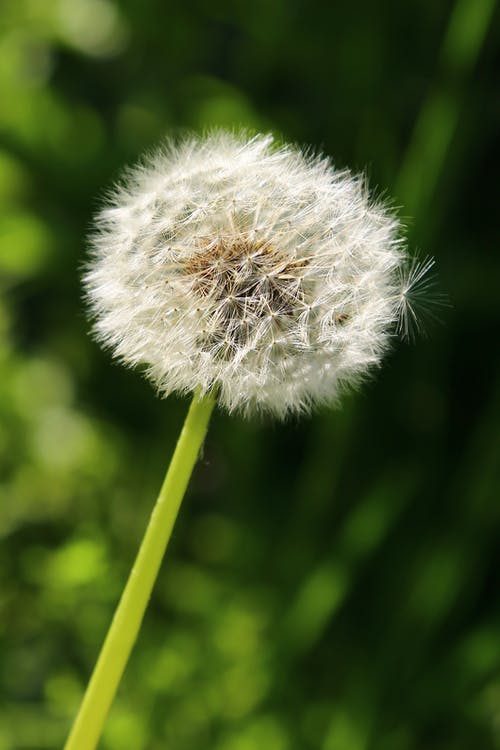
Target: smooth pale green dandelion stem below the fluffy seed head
x,y
124,628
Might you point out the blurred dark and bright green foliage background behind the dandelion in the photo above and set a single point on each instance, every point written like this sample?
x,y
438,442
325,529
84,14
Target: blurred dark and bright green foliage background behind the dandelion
x,y
332,583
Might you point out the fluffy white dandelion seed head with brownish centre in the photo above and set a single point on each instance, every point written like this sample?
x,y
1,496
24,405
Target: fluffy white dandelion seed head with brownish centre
x,y
234,264
